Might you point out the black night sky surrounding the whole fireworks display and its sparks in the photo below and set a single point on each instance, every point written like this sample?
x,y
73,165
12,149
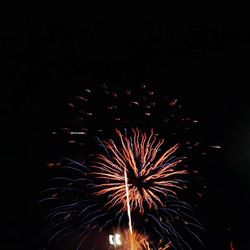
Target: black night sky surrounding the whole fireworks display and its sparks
x,y
48,55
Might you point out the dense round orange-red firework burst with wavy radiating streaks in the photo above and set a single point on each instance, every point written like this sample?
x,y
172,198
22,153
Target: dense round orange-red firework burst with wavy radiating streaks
x,y
150,178
